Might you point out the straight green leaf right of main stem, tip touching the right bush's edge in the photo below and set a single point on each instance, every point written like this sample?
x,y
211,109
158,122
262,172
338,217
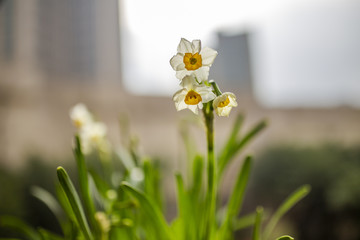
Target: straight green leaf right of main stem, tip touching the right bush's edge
x,y
236,199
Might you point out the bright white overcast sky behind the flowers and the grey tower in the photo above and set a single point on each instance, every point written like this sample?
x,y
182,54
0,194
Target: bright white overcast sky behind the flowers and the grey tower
x,y
304,52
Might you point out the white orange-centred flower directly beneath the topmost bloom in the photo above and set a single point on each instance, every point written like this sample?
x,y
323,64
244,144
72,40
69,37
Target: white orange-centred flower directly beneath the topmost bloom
x,y
192,95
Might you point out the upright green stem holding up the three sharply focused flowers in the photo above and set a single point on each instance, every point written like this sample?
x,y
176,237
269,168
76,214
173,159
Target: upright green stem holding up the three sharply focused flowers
x,y
211,168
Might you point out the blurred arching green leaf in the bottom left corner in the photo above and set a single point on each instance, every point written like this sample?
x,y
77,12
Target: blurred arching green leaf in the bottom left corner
x,y
19,226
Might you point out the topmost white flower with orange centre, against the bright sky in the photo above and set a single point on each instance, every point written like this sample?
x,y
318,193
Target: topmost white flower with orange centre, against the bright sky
x,y
191,59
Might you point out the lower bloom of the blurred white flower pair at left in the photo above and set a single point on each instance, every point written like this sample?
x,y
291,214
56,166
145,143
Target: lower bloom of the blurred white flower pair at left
x,y
93,136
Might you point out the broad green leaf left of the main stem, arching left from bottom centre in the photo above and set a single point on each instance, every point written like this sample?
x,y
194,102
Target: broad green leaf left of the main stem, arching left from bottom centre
x,y
151,213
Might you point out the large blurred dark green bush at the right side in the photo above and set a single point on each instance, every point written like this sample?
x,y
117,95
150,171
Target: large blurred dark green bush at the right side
x,y
332,210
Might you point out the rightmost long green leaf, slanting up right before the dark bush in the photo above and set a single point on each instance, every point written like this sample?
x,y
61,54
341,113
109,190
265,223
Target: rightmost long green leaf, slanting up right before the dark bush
x,y
294,198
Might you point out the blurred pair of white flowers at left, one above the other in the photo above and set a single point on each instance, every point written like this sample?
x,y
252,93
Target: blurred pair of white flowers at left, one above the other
x,y
92,133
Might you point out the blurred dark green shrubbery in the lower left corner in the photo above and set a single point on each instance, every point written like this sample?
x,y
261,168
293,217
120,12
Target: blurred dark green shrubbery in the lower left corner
x,y
16,198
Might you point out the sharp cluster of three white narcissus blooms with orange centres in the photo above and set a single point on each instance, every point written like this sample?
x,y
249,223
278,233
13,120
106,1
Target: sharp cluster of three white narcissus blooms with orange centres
x,y
192,65
